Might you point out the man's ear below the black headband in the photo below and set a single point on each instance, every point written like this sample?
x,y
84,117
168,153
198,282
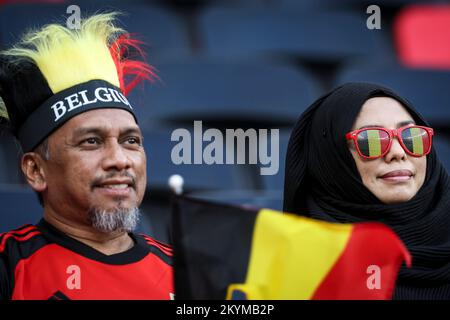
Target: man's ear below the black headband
x,y
33,168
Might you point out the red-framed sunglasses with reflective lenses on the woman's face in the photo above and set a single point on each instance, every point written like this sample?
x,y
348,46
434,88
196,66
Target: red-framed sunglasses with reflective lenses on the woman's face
x,y
375,142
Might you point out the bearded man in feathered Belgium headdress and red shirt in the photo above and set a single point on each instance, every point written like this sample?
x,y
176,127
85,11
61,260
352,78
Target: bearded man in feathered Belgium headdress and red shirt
x,y
64,98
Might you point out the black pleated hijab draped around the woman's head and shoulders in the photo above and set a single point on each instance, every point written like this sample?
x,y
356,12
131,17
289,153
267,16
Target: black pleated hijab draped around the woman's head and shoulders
x,y
322,182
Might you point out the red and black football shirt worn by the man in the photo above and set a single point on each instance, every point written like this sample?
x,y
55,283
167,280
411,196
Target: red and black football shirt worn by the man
x,y
40,262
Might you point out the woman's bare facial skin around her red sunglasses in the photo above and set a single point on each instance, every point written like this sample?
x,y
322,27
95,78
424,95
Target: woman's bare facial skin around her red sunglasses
x,y
397,176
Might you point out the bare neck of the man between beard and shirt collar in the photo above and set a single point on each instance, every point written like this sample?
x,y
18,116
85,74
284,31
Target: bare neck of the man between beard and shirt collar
x,y
107,243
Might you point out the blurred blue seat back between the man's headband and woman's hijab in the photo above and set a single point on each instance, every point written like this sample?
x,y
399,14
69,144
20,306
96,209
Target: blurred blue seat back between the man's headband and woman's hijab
x,y
229,93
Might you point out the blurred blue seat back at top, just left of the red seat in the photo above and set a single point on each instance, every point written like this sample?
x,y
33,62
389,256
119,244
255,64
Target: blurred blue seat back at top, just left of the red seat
x,y
313,35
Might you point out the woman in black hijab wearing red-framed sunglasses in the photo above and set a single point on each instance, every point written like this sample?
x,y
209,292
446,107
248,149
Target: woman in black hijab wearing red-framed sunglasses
x,y
331,175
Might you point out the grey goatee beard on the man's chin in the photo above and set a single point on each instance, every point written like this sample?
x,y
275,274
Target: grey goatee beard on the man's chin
x,y
117,219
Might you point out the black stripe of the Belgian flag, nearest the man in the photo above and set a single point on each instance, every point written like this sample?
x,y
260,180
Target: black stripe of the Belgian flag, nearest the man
x,y
205,263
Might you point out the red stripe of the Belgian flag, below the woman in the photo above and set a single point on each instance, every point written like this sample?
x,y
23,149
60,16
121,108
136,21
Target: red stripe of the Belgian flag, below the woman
x,y
354,275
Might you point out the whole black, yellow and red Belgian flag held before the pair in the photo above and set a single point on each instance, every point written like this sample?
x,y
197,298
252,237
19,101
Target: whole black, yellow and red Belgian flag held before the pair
x,y
223,251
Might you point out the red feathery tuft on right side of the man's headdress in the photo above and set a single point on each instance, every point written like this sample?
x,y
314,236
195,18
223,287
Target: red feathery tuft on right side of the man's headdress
x,y
130,71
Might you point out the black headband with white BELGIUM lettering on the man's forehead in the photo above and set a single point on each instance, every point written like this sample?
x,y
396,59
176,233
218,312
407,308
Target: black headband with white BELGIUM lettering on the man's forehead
x,y
64,105
